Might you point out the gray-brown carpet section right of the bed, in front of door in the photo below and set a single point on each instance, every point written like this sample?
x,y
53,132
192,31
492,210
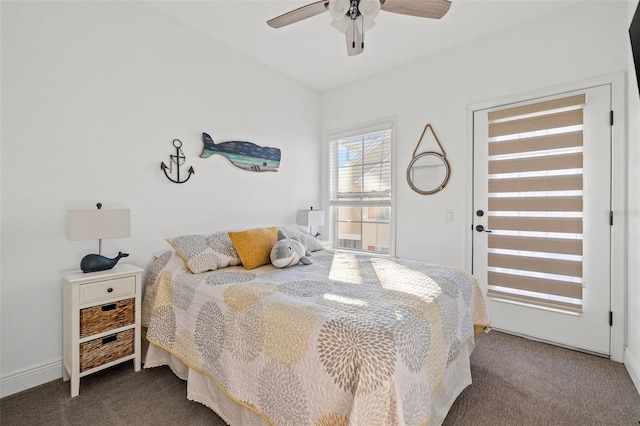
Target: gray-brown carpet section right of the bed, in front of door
x,y
521,382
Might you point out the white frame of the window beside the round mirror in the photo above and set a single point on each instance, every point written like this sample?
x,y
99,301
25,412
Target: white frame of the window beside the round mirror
x,y
361,129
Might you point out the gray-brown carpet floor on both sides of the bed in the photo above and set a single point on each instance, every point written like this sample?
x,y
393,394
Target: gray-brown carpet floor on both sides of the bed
x,y
515,382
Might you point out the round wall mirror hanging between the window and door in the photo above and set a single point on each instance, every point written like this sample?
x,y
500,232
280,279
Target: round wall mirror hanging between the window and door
x,y
428,173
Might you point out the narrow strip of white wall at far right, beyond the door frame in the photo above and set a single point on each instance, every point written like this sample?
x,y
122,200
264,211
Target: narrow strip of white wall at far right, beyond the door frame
x,y
632,353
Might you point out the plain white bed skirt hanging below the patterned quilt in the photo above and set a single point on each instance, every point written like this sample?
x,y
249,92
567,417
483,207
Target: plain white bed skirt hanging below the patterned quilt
x,y
202,389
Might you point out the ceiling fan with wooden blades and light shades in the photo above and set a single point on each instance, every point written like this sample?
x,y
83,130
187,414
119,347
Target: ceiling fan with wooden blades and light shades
x,y
355,17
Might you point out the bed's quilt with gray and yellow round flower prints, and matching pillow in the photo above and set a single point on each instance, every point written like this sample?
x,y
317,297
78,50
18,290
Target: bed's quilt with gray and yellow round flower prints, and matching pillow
x,y
352,339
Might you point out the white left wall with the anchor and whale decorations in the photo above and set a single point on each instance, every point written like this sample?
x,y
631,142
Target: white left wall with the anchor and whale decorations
x,y
93,93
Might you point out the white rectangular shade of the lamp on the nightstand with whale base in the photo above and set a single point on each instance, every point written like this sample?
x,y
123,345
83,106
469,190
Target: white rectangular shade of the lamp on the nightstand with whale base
x,y
98,224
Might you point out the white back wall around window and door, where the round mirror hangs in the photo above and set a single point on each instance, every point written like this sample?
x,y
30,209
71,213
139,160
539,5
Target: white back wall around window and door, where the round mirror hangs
x,y
583,41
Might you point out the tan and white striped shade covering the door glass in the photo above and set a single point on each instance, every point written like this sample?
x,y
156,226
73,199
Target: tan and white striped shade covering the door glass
x,y
535,205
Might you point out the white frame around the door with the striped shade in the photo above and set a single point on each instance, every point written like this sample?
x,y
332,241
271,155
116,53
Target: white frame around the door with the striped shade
x,y
618,191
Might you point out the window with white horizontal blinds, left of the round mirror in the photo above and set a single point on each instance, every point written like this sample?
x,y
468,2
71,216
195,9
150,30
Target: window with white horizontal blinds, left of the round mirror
x,y
361,189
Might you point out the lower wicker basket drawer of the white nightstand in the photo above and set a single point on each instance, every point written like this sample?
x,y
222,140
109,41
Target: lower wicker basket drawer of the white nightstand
x,y
97,352
